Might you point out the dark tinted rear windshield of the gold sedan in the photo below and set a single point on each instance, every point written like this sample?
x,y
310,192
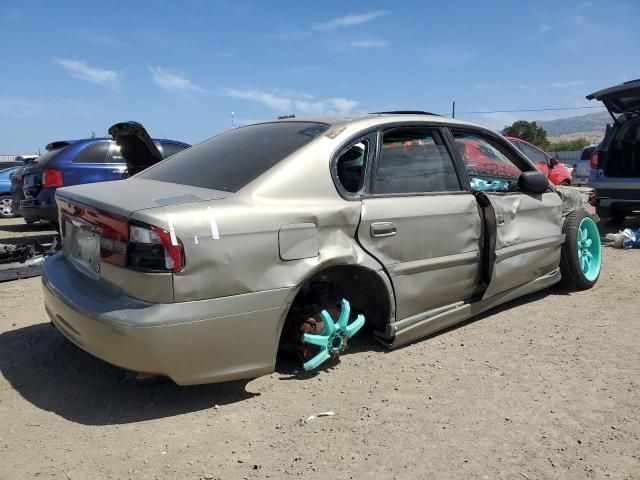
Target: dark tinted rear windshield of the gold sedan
x,y
232,159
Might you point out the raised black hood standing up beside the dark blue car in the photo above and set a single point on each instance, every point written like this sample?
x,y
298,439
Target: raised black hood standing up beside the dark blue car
x,y
136,146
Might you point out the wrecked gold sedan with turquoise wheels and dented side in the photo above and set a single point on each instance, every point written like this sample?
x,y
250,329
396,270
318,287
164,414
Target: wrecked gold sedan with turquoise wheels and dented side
x,y
296,233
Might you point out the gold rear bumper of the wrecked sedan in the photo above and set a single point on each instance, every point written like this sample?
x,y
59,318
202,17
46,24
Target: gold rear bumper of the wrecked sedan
x,y
190,342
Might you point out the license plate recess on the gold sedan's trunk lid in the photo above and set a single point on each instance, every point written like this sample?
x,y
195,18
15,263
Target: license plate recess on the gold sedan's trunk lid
x,y
82,246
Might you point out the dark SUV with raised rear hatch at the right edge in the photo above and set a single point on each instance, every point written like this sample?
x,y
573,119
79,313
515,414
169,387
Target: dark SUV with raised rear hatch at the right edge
x,y
615,162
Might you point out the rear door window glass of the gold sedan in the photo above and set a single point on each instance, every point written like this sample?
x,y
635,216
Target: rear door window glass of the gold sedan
x,y
414,160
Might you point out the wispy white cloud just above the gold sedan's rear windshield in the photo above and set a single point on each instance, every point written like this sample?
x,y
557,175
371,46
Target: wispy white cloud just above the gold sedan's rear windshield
x,y
300,103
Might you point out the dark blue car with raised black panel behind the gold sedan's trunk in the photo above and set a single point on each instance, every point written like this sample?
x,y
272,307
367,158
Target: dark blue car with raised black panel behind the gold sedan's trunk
x,y
73,162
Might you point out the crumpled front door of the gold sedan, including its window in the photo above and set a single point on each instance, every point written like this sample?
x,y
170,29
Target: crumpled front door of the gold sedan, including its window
x,y
524,230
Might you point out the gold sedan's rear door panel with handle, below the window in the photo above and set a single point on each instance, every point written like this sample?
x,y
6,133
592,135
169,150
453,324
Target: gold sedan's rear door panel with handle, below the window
x,y
433,258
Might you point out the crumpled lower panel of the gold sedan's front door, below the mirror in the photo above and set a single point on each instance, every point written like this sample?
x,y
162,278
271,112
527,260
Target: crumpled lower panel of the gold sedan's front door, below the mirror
x,y
528,236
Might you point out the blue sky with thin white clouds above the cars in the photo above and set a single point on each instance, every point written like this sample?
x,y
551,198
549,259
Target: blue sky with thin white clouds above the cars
x,y
72,68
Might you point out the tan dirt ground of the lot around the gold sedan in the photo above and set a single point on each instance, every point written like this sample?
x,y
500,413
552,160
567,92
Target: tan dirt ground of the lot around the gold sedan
x,y
545,387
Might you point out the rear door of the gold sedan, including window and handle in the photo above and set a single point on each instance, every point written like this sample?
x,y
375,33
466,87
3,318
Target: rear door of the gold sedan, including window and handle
x,y
419,222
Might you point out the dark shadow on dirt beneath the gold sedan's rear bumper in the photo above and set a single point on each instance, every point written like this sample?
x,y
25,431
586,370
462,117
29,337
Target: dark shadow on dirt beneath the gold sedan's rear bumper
x,y
55,375
